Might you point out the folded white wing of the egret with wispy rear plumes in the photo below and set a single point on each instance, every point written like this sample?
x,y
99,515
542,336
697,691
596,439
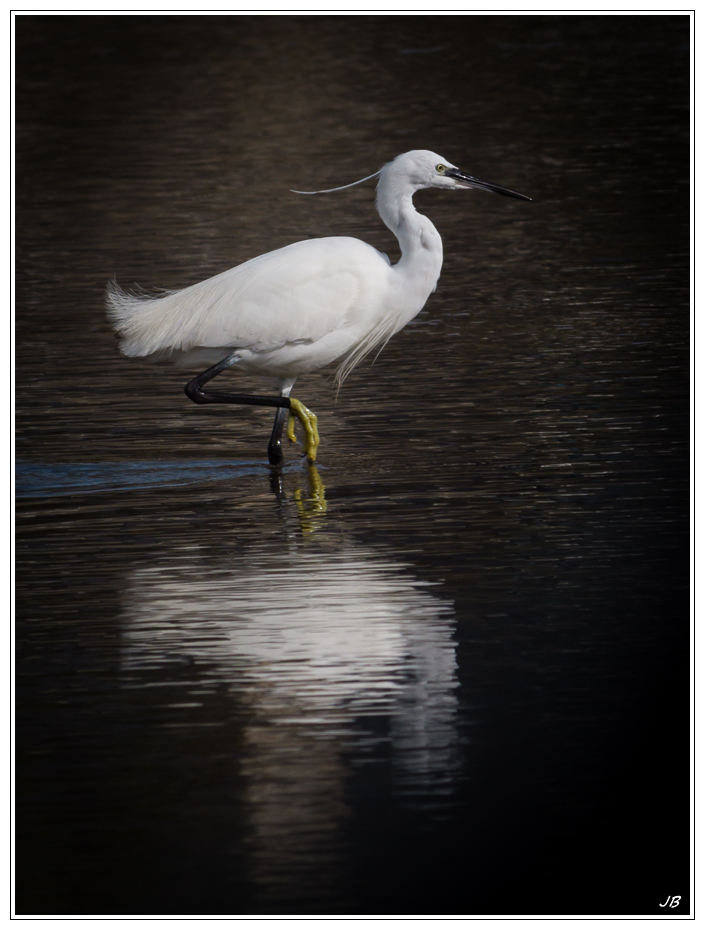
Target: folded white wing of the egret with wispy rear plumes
x,y
293,295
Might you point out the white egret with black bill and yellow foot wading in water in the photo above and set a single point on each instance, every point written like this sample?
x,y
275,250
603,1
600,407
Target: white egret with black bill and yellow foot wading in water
x,y
299,308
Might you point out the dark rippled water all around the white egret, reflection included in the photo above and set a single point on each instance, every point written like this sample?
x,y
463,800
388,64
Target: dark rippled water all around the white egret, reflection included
x,y
447,672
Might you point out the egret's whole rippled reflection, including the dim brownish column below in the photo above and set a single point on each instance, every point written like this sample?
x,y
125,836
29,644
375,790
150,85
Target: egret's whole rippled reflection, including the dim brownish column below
x,y
331,657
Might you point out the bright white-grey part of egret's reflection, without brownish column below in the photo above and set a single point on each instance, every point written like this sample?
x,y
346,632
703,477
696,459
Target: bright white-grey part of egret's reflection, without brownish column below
x,y
327,635
